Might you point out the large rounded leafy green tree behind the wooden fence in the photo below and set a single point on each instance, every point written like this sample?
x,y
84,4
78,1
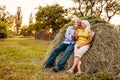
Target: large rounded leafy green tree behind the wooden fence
x,y
50,17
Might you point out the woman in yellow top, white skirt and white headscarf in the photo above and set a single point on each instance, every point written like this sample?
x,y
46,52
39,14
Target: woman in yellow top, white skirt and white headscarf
x,y
83,36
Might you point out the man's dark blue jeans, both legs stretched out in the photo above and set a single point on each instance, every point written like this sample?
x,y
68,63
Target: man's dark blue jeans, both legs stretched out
x,y
67,48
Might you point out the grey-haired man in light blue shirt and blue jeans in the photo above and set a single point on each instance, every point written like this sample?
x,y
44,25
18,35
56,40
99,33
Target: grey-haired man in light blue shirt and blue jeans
x,y
67,46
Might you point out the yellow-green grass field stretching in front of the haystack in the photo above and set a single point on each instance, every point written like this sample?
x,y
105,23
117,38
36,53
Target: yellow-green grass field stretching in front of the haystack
x,y
23,58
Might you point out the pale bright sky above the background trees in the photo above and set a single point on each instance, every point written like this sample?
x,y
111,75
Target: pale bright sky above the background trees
x,y
28,6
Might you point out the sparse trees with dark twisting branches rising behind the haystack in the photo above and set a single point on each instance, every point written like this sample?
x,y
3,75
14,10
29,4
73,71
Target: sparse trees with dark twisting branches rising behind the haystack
x,y
98,7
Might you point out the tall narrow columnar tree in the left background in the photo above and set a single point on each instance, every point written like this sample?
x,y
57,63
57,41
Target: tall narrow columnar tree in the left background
x,y
18,19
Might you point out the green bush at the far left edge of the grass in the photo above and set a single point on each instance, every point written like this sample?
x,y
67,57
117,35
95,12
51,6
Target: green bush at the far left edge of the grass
x,y
3,30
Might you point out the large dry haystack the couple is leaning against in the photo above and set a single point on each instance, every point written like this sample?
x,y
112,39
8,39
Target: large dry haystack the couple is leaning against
x,y
105,49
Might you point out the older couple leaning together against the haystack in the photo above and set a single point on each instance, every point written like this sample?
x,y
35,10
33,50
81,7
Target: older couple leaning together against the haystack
x,y
77,39
